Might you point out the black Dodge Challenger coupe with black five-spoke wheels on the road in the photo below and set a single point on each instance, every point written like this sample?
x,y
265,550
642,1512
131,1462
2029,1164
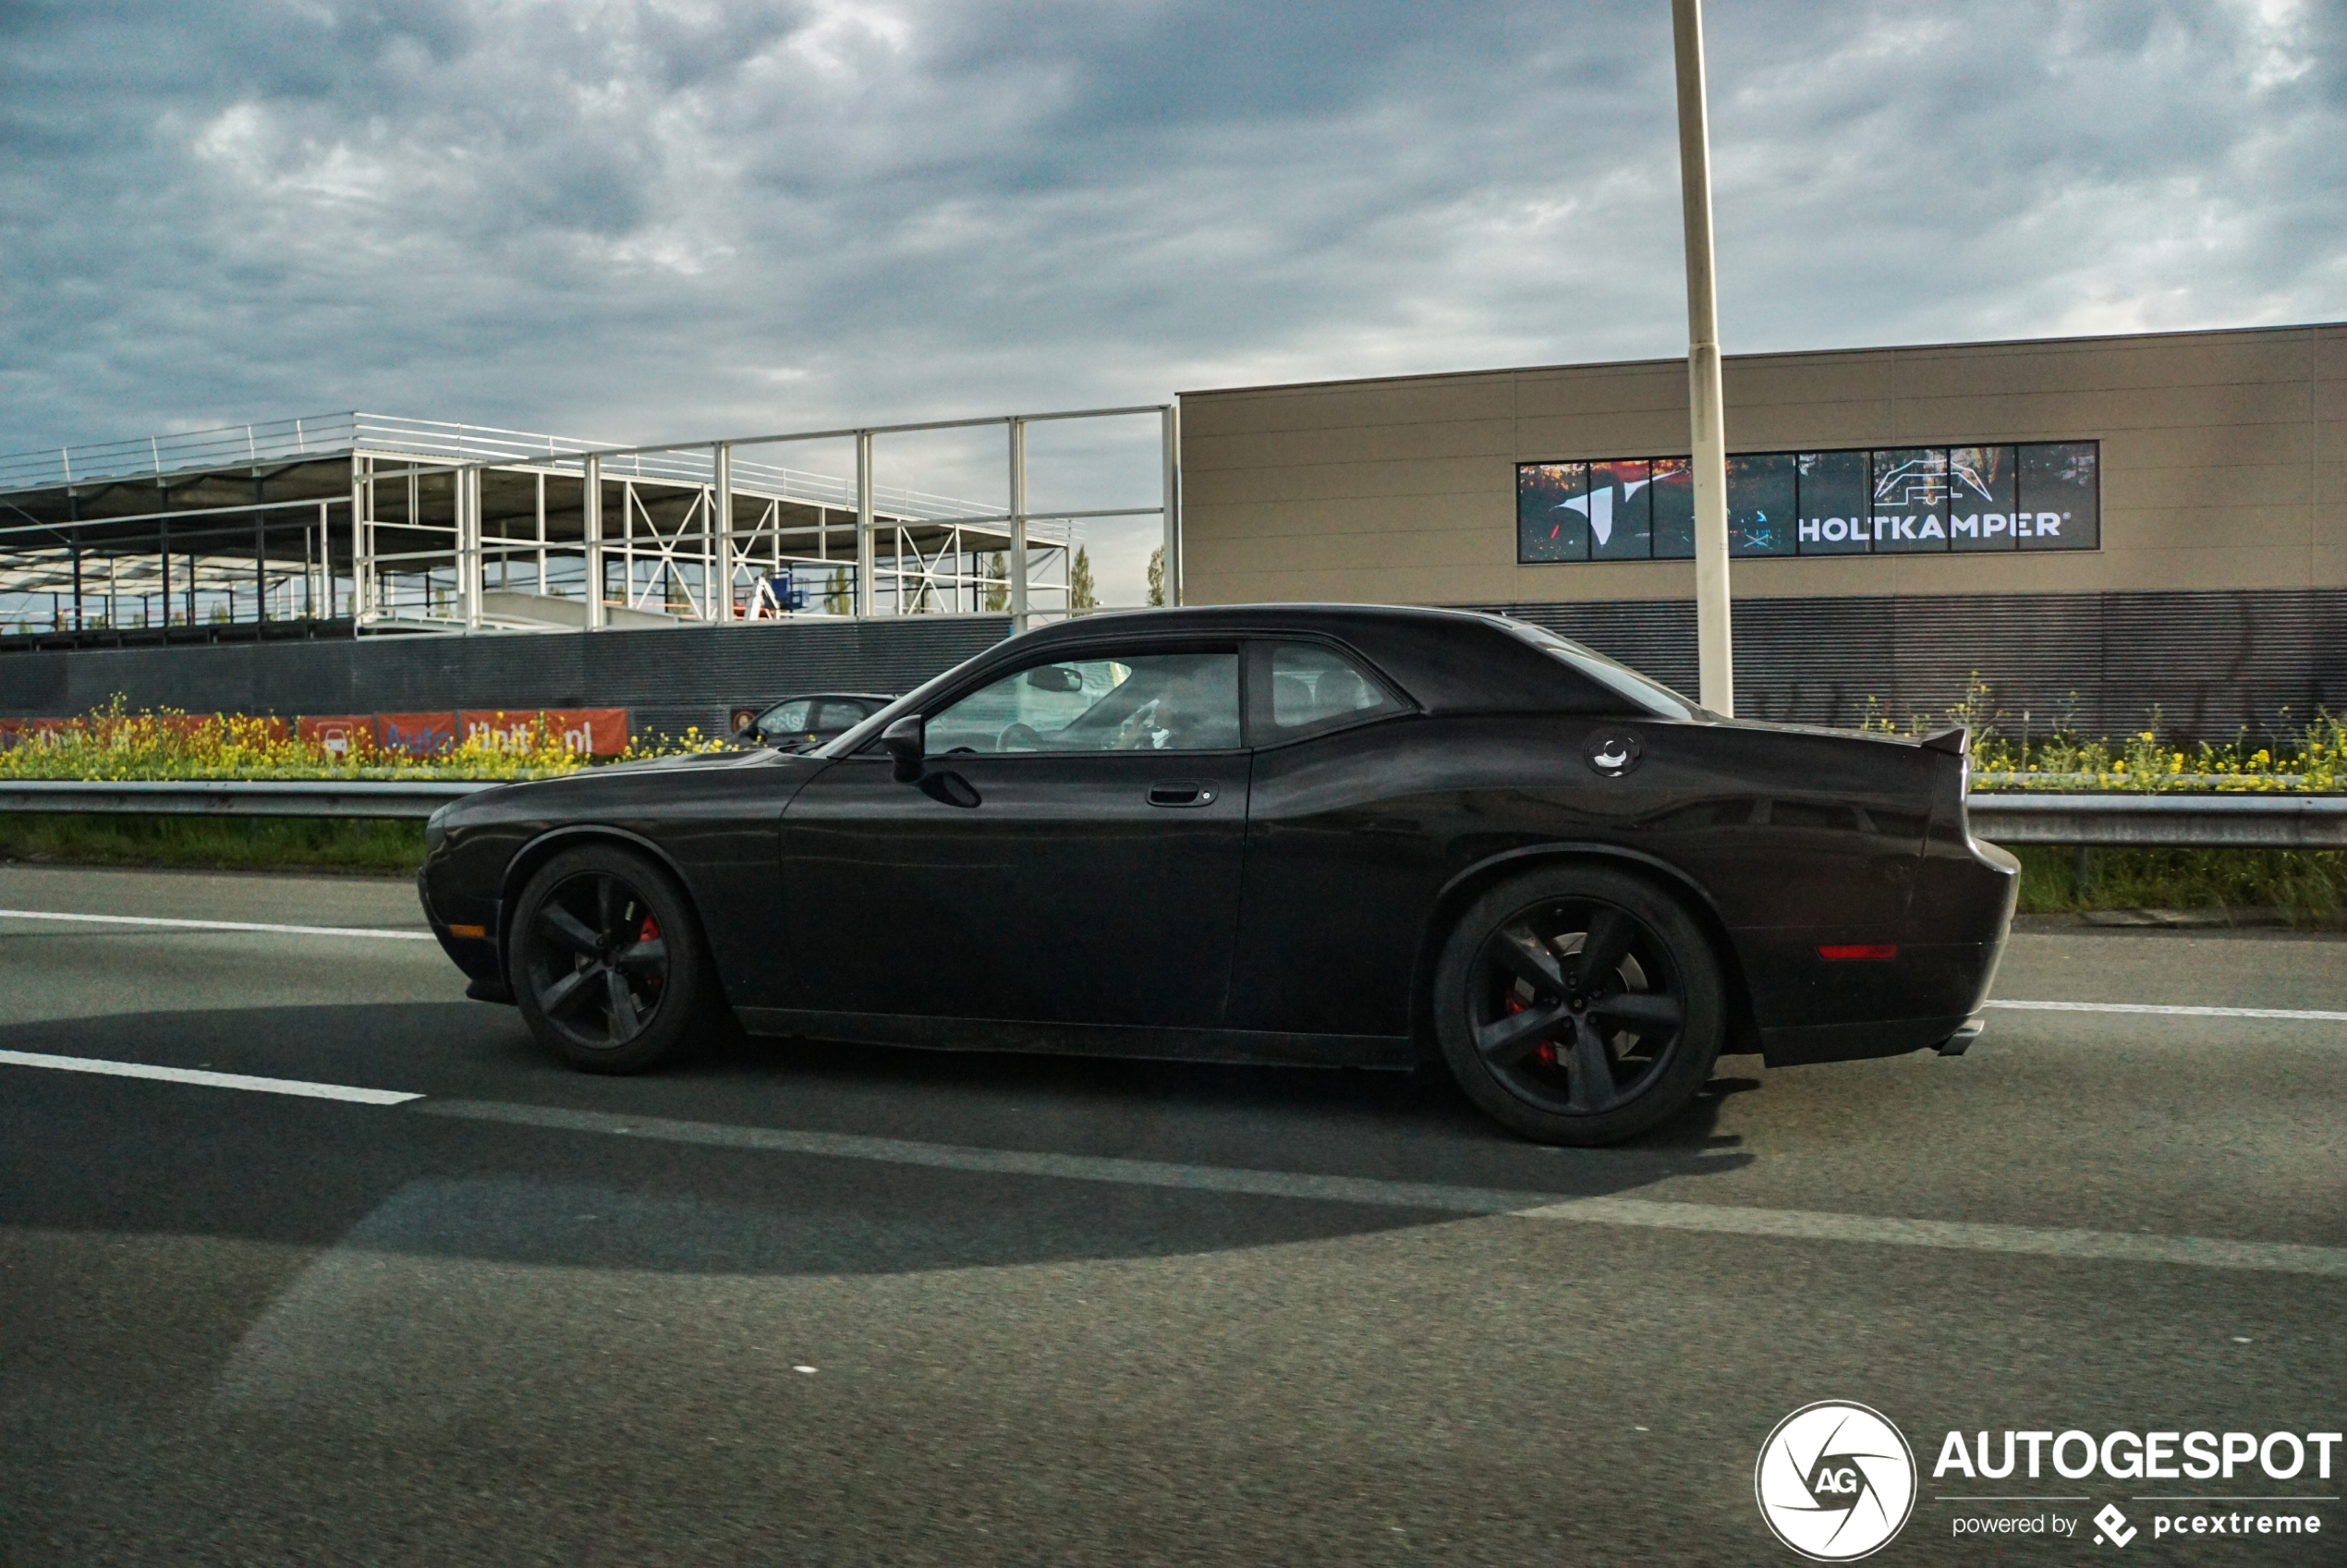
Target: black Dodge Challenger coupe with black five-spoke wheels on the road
x,y
1276,834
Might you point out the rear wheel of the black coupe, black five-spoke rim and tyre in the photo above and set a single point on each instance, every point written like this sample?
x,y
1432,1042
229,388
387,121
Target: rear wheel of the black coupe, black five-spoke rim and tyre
x,y
1578,1006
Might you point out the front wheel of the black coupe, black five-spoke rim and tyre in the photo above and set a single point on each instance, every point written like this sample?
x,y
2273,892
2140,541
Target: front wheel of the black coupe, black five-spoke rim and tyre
x,y
607,961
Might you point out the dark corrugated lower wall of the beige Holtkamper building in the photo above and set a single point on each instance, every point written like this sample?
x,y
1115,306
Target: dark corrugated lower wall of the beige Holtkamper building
x,y
2193,663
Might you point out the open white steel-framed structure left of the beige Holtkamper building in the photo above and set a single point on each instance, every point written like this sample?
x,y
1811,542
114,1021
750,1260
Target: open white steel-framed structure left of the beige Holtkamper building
x,y
365,525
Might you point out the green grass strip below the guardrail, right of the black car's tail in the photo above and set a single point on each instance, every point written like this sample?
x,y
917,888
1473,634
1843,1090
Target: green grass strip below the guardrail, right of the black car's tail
x,y
2306,886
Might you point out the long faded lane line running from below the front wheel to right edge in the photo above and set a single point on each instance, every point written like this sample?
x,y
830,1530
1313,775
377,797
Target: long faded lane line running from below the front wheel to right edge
x,y
1637,1212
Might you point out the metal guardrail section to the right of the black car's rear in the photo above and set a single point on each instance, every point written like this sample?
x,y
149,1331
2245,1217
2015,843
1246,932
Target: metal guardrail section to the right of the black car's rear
x,y
2163,823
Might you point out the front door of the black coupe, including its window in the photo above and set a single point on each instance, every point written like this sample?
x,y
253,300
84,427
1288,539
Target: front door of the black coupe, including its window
x,y
1071,853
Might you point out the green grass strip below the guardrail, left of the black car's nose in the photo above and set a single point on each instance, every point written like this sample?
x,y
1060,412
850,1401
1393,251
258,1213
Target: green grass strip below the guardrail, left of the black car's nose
x,y
215,844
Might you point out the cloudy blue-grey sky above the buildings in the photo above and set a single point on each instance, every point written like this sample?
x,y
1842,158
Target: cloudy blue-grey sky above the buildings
x,y
642,219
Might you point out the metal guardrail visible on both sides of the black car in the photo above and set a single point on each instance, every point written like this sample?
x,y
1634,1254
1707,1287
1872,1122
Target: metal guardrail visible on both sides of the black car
x,y
2184,823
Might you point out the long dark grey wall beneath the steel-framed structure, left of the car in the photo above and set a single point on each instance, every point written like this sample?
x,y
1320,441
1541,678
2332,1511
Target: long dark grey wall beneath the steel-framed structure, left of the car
x,y
668,677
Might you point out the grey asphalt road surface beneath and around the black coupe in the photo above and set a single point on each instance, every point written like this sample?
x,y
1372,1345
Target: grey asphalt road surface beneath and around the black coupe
x,y
806,1304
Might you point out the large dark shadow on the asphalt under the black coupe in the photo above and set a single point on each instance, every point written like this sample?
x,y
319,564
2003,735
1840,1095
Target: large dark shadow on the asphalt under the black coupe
x,y
386,1182
